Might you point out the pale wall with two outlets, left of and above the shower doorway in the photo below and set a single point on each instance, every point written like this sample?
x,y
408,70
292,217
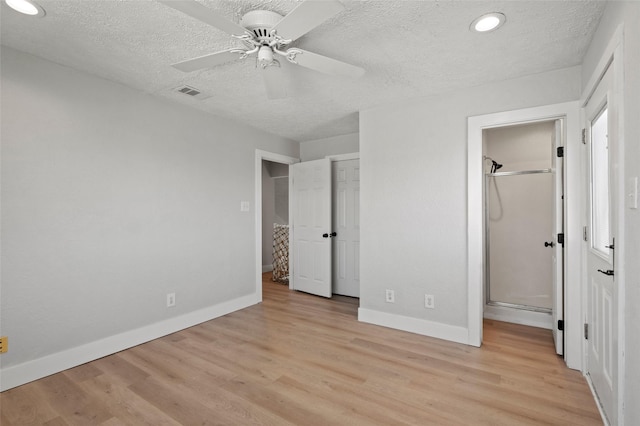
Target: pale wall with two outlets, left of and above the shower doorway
x,y
413,198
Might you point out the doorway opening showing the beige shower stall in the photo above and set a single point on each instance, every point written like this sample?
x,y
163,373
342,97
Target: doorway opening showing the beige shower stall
x,y
523,217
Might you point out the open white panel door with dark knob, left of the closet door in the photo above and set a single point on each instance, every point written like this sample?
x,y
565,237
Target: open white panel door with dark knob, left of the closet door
x,y
311,245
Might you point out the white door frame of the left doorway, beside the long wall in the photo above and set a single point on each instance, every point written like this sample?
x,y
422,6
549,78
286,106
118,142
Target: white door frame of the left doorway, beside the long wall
x,y
276,158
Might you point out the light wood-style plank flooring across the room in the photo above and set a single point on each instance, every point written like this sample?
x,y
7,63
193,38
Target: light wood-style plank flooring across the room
x,y
298,359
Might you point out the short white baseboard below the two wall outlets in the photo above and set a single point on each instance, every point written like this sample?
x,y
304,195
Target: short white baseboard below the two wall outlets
x,y
415,325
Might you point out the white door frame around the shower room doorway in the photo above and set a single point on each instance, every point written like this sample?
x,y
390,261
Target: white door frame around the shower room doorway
x,y
569,112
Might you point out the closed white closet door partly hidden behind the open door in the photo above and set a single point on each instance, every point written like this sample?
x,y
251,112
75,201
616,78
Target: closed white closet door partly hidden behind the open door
x,y
346,221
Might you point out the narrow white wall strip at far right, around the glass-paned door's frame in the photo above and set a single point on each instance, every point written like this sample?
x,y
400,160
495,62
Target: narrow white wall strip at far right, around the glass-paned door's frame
x,y
627,13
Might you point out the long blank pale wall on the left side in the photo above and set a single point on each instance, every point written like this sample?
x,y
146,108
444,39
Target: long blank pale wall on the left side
x,y
110,200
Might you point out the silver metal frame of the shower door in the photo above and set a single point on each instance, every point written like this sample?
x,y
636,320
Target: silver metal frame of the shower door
x,y
487,272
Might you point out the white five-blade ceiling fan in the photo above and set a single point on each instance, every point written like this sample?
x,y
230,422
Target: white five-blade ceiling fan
x,y
267,35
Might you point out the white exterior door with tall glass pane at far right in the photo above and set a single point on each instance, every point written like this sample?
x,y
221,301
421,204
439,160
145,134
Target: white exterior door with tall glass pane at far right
x,y
601,132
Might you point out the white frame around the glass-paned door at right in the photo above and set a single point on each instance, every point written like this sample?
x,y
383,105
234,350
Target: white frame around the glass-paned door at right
x,y
611,56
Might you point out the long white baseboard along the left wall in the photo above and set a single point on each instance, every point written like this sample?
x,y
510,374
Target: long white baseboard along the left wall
x,y
29,371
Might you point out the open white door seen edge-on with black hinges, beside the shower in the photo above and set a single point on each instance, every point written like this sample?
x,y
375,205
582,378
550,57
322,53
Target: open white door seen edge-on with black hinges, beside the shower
x,y
557,290
